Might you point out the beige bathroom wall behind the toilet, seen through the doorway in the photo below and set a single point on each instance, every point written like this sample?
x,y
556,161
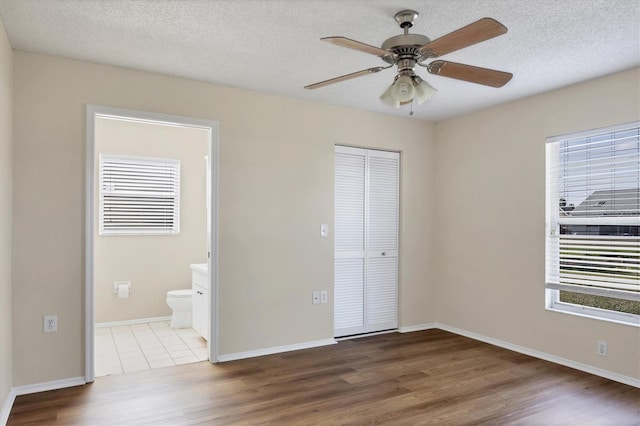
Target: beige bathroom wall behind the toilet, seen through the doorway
x,y
154,264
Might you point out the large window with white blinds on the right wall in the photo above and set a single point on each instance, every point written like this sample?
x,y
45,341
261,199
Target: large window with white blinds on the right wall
x,y
593,223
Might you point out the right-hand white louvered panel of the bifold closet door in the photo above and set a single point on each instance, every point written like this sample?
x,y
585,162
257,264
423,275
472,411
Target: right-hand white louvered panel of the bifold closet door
x,y
381,305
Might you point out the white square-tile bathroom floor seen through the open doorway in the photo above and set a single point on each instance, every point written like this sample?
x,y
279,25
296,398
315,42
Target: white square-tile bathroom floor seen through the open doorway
x,y
137,347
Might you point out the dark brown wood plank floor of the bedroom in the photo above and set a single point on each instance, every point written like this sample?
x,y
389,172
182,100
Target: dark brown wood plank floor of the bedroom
x,y
428,377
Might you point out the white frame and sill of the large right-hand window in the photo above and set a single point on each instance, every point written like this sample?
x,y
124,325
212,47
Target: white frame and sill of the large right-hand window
x,y
552,290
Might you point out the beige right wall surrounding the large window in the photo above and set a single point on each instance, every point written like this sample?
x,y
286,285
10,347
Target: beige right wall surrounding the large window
x,y
490,213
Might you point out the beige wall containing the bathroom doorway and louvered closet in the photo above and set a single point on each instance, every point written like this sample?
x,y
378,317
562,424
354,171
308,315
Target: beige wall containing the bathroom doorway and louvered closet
x,y
276,188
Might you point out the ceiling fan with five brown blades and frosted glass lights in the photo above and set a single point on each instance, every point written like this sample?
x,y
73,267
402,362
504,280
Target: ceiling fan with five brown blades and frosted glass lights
x,y
408,50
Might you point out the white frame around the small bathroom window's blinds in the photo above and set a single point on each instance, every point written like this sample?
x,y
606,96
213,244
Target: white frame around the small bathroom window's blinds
x,y
154,161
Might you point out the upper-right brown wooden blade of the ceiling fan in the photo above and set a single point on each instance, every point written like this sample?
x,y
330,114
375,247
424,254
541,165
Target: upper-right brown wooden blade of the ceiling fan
x,y
481,30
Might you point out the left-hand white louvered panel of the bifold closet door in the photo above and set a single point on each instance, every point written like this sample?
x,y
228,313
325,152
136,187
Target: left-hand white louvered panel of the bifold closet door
x,y
349,256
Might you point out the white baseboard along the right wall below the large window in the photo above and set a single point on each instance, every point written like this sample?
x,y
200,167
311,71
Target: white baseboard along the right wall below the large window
x,y
627,380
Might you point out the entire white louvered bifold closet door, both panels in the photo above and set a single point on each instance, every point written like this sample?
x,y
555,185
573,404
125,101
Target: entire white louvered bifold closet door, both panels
x,y
366,240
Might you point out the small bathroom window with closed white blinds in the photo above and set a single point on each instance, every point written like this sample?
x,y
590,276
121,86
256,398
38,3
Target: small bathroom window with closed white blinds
x,y
139,195
